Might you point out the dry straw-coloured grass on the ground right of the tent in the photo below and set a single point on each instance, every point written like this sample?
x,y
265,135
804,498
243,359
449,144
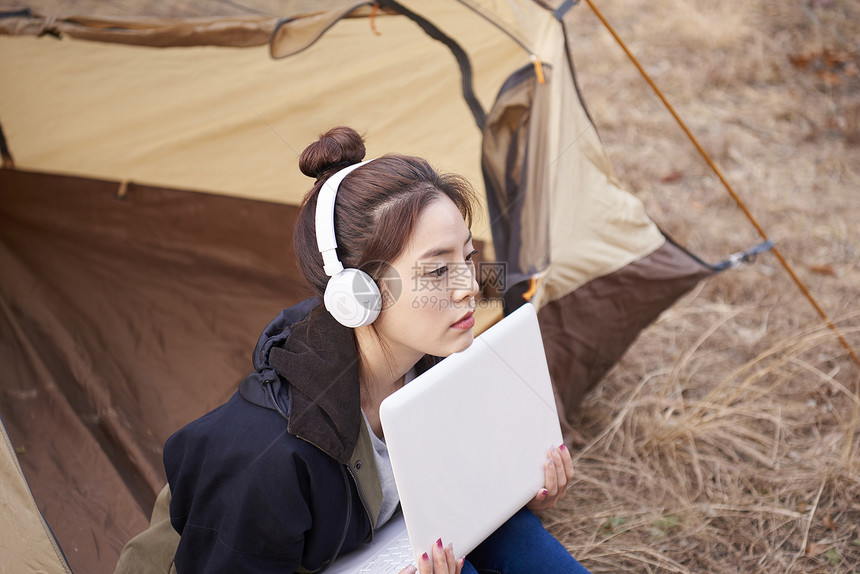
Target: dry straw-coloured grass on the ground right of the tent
x,y
728,438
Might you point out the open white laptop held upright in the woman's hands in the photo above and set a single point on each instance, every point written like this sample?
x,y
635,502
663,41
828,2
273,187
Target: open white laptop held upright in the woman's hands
x,y
468,441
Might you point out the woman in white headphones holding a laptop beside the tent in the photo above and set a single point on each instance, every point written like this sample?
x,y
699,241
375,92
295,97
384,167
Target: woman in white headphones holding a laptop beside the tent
x,y
291,471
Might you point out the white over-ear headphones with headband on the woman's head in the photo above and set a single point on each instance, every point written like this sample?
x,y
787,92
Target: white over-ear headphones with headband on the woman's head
x,y
351,295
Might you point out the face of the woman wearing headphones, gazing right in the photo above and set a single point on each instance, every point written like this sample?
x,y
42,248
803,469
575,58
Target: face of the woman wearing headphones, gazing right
x,y
433,312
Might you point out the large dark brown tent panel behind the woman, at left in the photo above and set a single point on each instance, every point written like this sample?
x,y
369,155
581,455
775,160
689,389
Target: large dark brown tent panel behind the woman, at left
x,y
123,318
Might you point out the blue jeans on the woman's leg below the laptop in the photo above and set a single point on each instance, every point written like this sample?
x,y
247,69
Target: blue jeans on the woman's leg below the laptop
x,y
521,546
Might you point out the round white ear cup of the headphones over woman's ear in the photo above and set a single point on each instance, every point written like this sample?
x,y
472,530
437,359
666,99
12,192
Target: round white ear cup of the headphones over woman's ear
x,y
353,298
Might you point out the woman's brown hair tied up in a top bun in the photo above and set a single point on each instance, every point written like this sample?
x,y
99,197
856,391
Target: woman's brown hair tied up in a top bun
x,y
377,205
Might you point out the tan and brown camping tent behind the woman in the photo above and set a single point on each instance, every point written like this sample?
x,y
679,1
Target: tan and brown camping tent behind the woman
x,y
149,190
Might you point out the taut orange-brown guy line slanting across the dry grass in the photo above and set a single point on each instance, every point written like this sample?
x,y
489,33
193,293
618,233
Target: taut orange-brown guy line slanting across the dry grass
x,y
726,184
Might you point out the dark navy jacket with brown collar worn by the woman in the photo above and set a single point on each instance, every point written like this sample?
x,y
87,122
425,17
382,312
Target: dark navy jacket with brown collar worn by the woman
x,y
281,478
